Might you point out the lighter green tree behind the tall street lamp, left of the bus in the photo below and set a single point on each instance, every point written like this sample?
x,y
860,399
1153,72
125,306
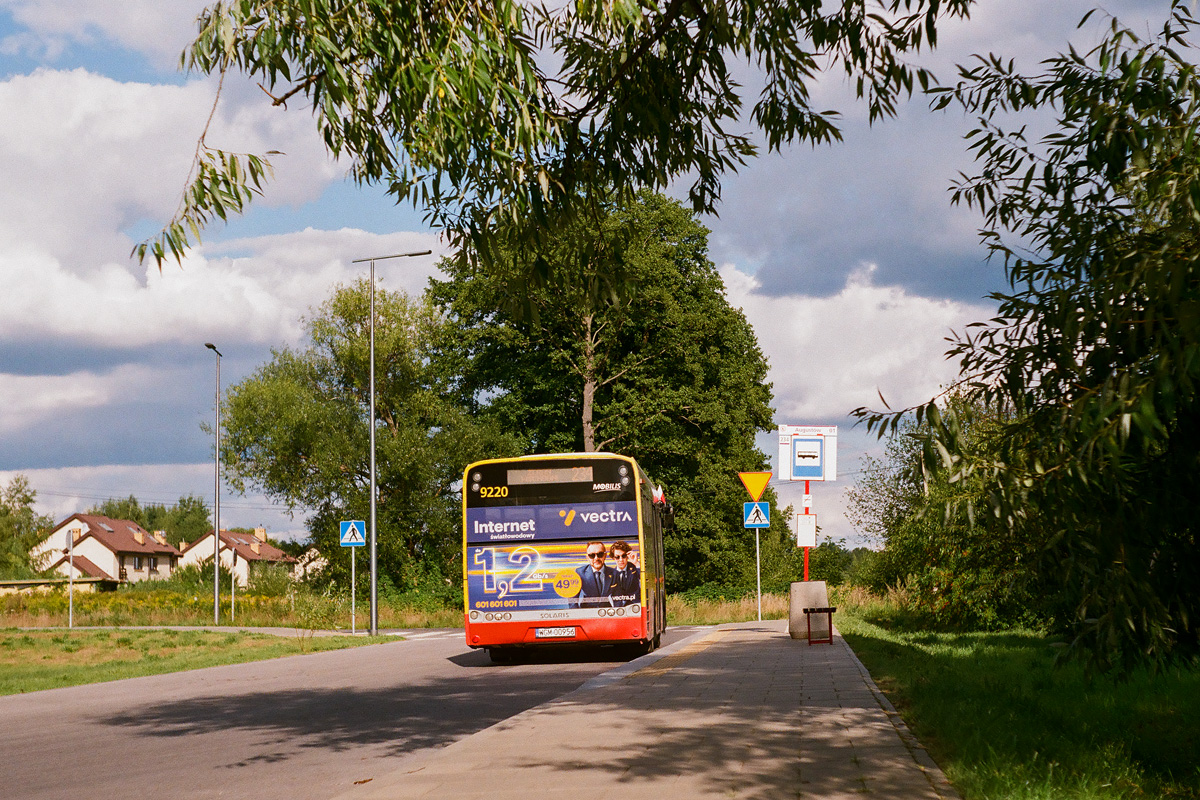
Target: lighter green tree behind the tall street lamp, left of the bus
x,y
298,431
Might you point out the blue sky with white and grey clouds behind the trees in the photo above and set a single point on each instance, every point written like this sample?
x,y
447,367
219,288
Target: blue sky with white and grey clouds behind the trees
x,y
849,261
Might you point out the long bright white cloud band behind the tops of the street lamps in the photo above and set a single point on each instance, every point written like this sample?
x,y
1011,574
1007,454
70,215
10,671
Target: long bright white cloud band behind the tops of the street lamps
x,y
257,297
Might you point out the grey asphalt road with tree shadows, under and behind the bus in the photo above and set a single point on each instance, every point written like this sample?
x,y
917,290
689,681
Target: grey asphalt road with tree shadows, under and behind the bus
x,y
292,729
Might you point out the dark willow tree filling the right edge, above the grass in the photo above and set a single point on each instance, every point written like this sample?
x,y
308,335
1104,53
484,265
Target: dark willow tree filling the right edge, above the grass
x,y
1095,351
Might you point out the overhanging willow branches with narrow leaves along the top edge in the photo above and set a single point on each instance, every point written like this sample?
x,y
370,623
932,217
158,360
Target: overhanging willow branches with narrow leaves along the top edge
x,y
482,112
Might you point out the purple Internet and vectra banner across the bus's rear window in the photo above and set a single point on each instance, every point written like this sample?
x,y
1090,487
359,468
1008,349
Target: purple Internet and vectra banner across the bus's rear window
x,y
554,522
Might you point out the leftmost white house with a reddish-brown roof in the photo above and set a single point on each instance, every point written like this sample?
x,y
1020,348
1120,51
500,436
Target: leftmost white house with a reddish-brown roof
x,y
93,546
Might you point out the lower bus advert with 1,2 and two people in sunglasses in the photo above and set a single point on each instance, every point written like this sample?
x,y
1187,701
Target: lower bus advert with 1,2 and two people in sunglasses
x,y
529,581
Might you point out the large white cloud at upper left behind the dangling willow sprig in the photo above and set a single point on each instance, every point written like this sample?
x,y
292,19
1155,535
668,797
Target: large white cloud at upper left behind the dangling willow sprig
x,y
86,158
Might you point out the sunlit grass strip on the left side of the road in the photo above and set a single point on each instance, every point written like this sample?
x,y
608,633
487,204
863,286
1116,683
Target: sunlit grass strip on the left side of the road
x,y
38,660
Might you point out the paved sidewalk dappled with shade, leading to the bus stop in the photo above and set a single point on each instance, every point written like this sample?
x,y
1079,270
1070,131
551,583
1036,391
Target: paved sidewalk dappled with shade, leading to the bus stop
x,y
737,712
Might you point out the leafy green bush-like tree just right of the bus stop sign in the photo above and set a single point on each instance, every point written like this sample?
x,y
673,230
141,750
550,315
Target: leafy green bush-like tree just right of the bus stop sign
x,y
961,566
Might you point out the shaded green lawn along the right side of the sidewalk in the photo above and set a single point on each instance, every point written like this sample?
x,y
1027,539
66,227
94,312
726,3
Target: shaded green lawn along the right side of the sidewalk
x,y
1006,723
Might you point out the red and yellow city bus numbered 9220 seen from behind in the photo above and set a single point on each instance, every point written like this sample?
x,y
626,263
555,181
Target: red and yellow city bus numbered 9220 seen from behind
x,y
548,548
